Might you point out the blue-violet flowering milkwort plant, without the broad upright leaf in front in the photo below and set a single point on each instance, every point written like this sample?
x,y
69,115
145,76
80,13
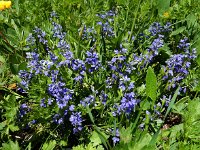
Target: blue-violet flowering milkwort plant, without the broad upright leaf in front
x,y
71,95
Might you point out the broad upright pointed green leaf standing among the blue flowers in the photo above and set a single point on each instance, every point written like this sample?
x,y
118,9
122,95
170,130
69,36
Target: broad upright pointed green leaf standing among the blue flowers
x,y
151,84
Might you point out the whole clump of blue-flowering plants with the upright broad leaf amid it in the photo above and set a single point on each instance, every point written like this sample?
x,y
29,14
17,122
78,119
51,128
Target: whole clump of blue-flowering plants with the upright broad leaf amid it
x,y
113,84
